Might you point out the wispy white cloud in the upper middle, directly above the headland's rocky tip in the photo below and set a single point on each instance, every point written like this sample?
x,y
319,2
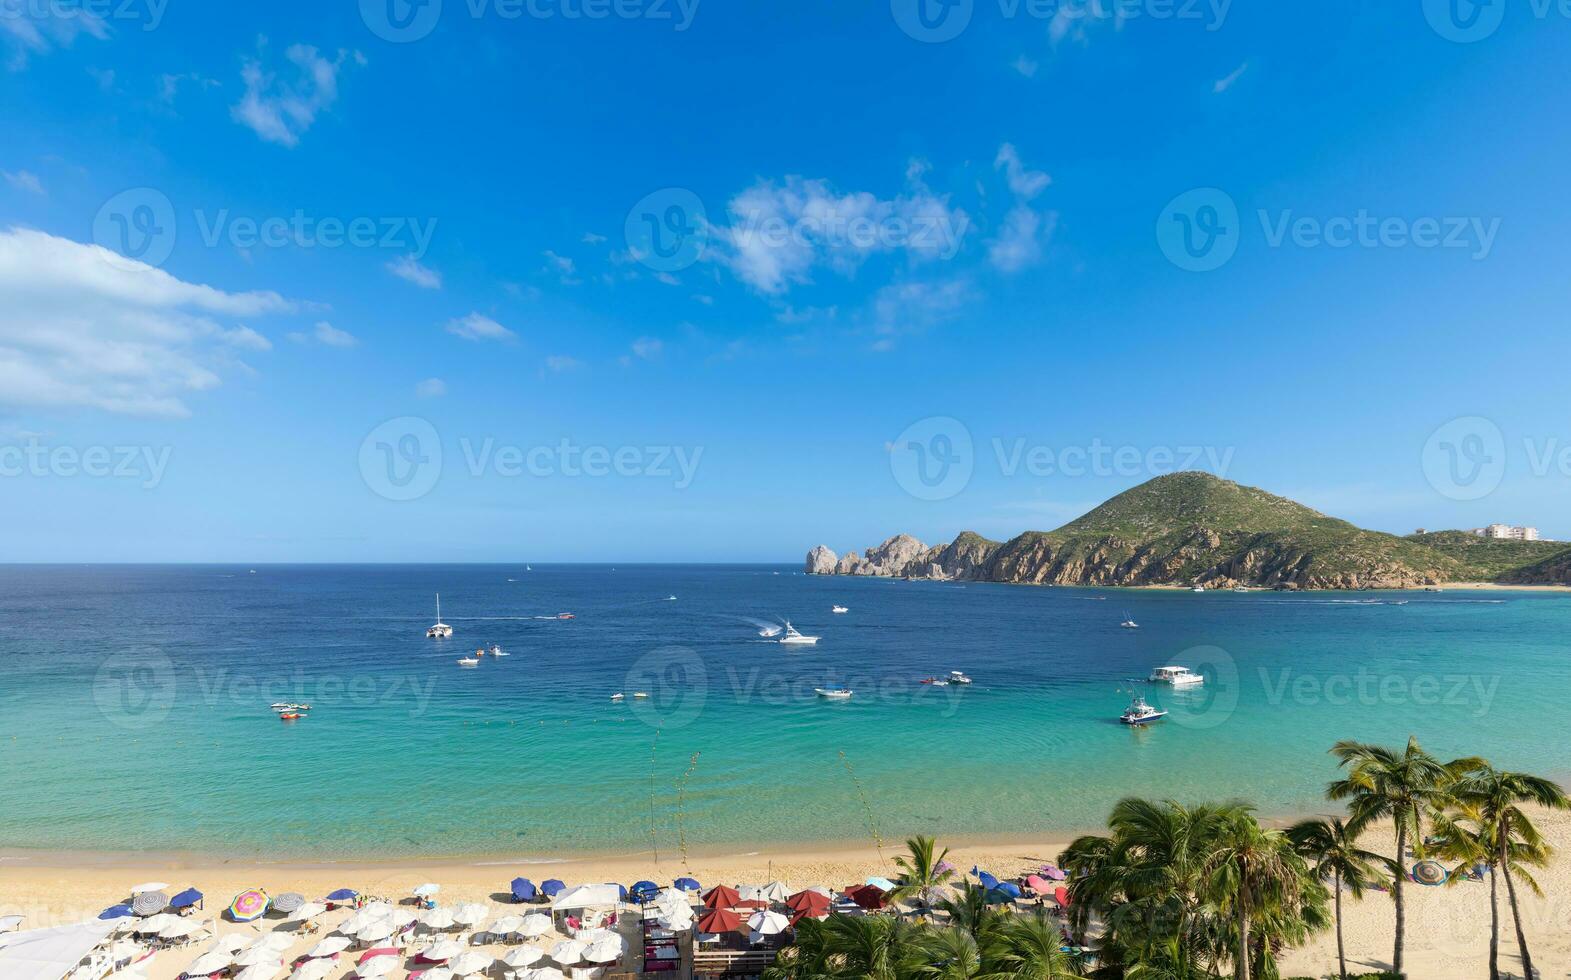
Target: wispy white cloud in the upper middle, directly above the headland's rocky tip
x,y
778,233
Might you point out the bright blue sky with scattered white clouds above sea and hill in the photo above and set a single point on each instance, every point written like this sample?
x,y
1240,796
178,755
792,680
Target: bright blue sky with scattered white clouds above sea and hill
x,y
876,247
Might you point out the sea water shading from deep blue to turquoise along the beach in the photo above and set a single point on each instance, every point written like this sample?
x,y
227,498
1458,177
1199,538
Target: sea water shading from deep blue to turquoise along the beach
x,y
134,711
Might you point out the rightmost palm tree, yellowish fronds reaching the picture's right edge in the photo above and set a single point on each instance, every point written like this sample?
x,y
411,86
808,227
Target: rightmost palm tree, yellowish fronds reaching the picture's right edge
x,y
1493,800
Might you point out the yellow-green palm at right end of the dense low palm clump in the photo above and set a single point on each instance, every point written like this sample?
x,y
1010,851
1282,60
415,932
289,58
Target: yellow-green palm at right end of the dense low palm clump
x,y
1253,871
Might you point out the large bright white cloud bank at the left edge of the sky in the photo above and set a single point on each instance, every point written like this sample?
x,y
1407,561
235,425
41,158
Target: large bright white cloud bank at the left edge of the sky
x,y
84,327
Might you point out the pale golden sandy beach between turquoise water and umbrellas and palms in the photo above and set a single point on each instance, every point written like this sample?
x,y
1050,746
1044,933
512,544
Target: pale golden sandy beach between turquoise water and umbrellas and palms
x,y
1448,926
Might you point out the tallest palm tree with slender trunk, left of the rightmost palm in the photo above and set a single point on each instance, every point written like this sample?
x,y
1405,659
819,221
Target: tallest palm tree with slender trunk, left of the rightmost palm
x,y
1405,788
